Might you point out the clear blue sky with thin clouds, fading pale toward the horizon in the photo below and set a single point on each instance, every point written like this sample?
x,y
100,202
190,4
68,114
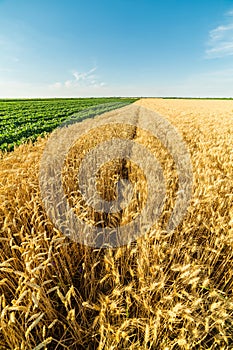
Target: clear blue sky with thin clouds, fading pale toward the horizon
x,y
116,48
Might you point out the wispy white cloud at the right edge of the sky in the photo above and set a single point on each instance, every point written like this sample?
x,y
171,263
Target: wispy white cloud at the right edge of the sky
x,y
220,43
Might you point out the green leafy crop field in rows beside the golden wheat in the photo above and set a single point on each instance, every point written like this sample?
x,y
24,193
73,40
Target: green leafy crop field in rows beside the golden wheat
x,y
23,120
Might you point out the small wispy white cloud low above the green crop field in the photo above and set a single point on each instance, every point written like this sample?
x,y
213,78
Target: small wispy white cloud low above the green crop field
x,y
80,80
